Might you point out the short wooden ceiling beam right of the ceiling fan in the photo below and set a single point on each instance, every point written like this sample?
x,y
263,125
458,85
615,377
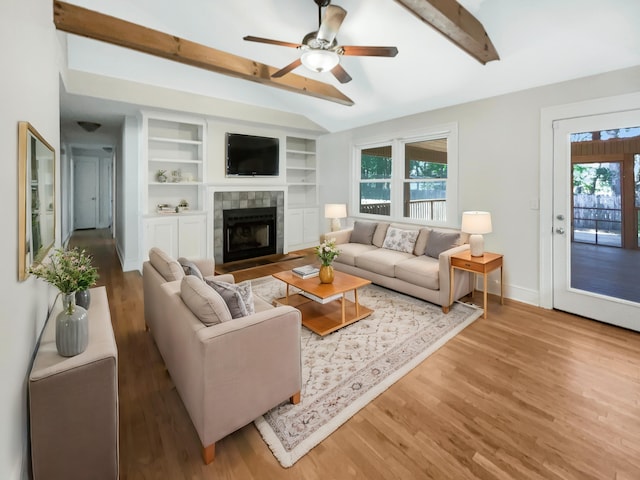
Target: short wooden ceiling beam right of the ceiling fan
x,y
457,24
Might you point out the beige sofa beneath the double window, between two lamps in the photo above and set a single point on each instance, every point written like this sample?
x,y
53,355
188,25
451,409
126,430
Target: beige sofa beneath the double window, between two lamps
x,y
384,253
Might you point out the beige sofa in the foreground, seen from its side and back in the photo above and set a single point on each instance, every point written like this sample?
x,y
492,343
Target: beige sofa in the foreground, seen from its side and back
x,y
229,373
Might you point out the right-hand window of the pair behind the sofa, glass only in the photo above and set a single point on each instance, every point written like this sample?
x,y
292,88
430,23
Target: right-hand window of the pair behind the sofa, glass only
x,y
426,160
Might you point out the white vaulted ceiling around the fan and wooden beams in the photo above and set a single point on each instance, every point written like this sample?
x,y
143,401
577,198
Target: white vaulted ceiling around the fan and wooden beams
x,y
539,42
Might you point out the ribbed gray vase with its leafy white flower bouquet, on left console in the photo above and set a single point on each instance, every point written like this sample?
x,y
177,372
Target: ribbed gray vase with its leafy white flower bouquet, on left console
x,y
69,271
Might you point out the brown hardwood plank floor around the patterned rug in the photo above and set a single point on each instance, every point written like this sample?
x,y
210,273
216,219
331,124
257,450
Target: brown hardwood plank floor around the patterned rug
x,y
525,394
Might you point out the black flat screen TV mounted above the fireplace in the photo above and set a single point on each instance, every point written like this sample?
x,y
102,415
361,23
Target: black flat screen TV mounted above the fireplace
x,y
250,155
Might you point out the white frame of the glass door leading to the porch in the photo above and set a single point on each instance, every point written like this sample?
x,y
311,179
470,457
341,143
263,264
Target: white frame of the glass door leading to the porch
x,y
587,303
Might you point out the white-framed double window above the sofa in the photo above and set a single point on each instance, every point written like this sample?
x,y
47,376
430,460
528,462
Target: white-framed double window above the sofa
x,y
409,179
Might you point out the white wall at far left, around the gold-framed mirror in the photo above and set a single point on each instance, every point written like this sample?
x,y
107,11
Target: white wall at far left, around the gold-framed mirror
x,y
28,91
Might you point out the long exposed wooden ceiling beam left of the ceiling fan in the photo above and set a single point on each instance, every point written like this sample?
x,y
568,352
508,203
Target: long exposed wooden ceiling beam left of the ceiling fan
x,y
88,23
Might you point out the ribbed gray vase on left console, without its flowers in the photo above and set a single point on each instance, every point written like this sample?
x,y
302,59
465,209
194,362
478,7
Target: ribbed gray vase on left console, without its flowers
x,y
72,327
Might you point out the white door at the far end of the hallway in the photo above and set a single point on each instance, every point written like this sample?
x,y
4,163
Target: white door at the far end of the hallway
x,y
85,192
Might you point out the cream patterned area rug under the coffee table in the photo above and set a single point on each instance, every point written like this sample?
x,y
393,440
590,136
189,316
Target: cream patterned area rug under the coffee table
x,y
347,369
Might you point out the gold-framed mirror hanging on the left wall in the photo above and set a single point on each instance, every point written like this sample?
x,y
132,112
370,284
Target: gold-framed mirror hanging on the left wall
x,y
36,198
